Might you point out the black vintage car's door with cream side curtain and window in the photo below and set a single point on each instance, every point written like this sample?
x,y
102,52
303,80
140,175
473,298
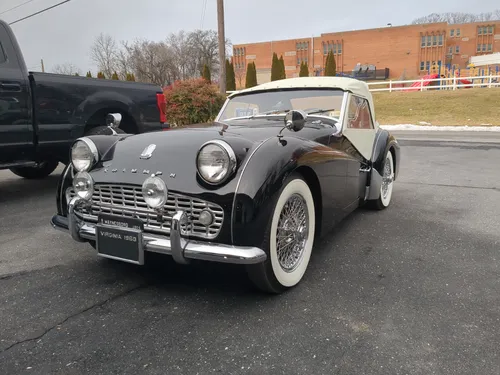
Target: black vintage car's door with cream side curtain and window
x,y
360,132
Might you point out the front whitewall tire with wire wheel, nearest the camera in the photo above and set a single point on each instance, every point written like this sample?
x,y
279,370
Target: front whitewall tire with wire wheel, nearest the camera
x,y
289,239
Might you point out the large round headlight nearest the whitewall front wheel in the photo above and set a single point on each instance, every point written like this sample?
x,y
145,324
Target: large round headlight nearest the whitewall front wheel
x,y
216,161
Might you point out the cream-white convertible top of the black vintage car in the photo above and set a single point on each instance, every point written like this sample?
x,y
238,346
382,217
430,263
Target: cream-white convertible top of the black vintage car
x,y
355,86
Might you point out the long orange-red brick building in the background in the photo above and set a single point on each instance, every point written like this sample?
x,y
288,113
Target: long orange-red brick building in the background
x,y
407,51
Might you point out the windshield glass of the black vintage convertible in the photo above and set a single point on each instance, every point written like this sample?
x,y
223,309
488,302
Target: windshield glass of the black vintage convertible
x,y
318,101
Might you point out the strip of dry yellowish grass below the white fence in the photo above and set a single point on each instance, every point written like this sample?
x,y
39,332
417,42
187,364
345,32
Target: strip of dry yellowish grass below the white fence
x,y
473,107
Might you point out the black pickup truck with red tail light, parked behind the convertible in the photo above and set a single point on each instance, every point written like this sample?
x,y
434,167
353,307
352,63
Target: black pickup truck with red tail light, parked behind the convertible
x,y
41,113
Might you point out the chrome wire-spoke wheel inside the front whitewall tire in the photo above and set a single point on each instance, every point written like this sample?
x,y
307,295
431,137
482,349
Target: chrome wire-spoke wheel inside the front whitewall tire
x,y
292,233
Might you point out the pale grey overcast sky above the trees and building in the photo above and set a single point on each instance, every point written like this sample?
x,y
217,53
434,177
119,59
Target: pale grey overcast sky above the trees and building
x,y
66,33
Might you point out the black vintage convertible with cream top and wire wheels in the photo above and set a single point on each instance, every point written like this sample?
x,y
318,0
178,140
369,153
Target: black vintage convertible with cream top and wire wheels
x,y
282,163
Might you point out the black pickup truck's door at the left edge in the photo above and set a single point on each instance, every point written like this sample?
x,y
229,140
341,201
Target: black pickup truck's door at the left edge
x,y
16,135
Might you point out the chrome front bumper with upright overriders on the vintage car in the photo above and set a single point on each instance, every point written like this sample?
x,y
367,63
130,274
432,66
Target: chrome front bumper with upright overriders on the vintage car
x,y
182,250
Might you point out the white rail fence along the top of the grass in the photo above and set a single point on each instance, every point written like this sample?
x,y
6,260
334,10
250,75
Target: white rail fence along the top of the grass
x,y
453,83
